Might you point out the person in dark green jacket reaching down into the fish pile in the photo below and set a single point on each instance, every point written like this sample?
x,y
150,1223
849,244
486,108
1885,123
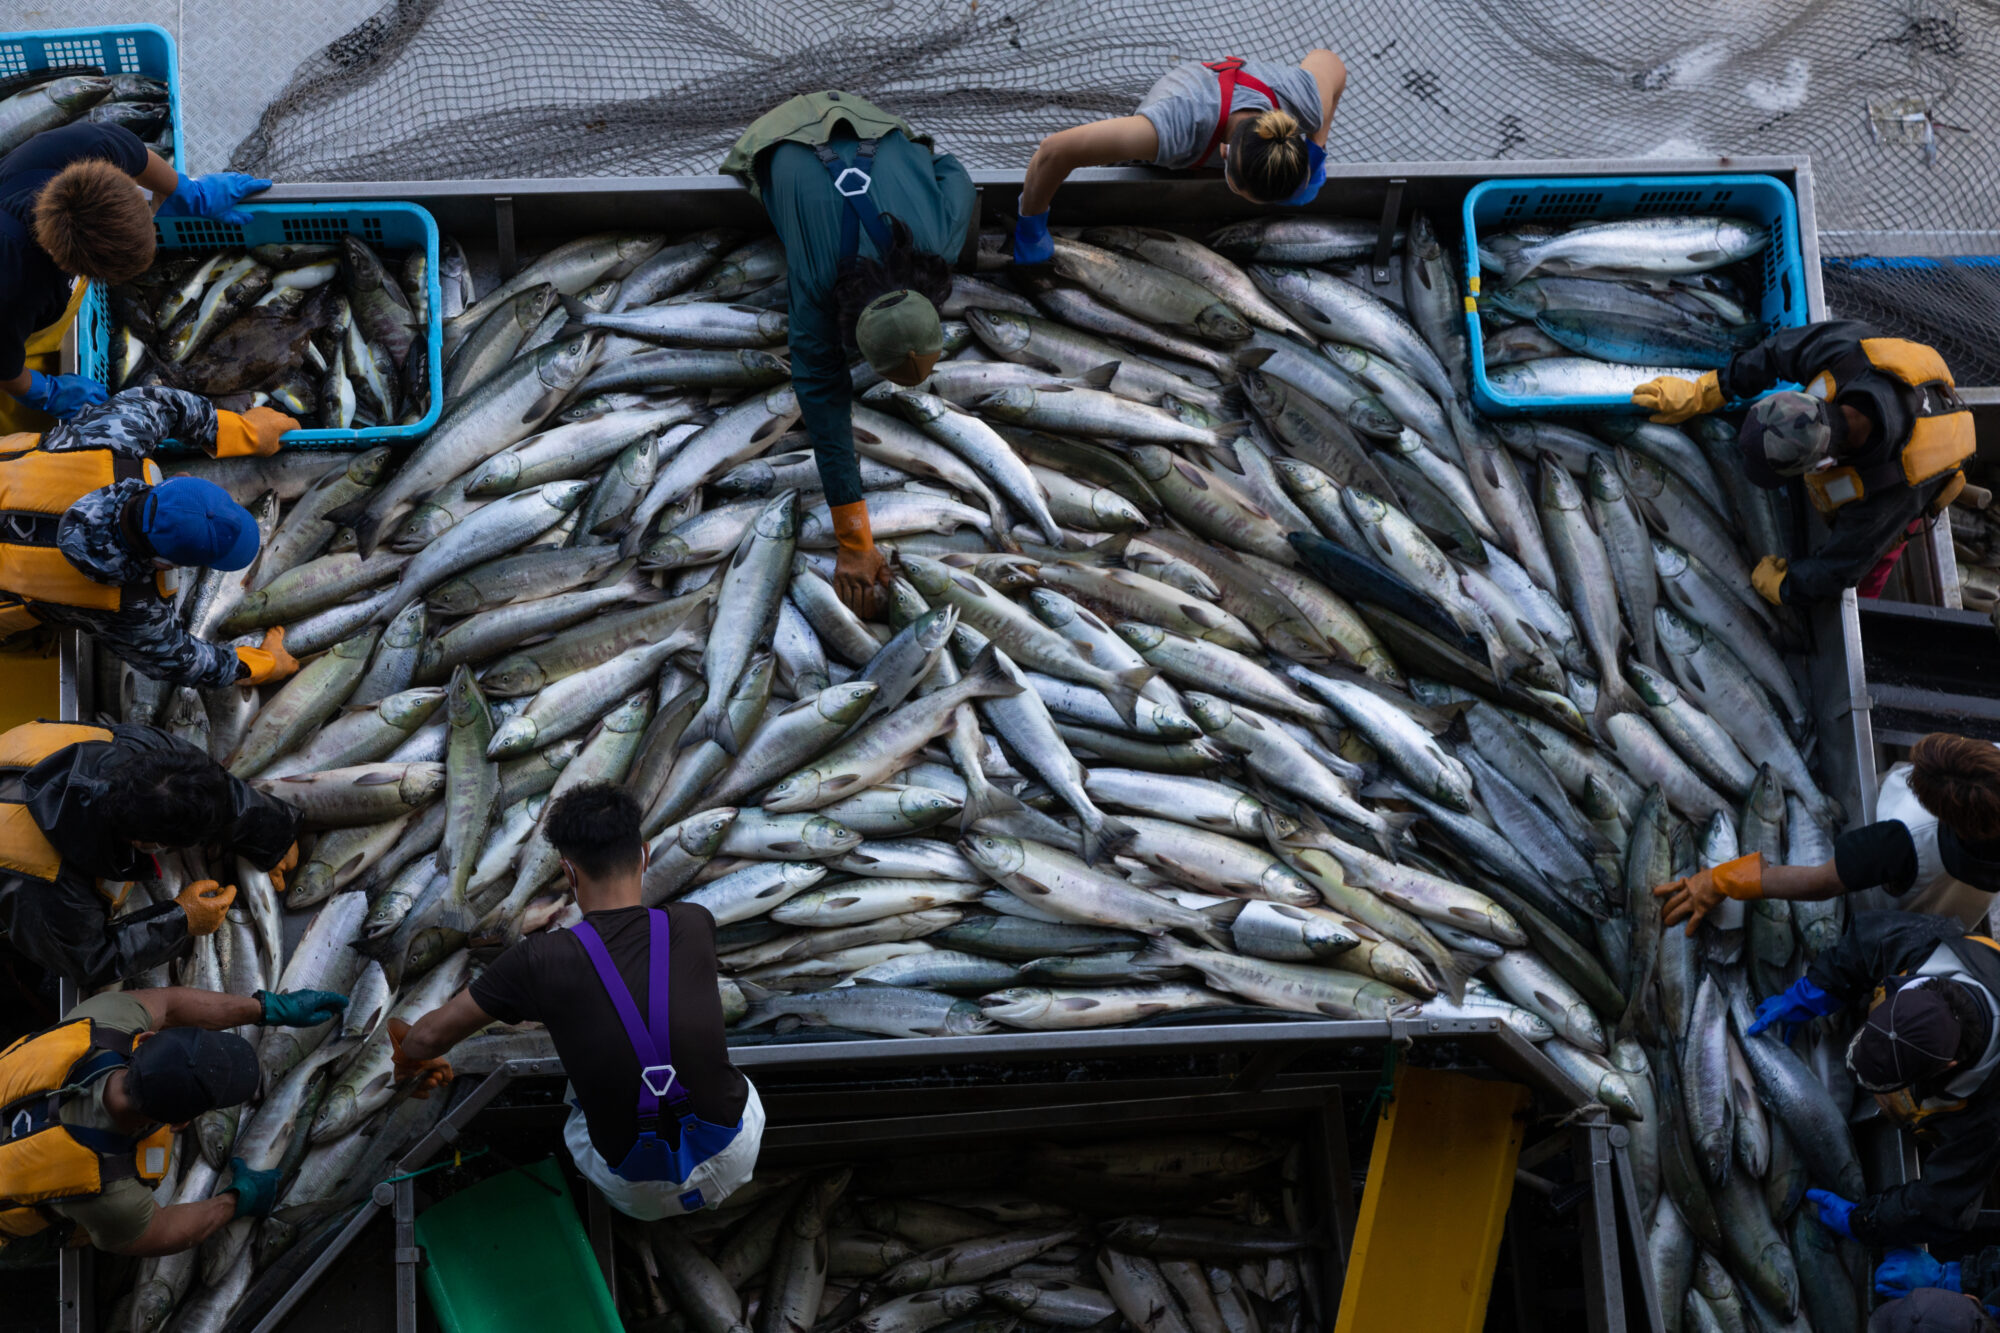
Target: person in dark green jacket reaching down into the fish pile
x,y
873,221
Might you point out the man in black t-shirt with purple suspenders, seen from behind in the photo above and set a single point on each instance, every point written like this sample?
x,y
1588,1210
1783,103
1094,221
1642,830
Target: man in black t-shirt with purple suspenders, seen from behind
x,y
659,1118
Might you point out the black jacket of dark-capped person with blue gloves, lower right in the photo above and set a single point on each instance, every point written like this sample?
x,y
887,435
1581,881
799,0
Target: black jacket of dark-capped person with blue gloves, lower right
x,y
1965,1146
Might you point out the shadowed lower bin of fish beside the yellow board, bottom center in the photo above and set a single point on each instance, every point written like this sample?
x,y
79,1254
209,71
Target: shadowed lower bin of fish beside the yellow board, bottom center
x,y
1171,1234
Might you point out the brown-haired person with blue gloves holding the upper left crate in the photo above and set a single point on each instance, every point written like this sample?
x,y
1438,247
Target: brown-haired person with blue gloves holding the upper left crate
x,y
75,205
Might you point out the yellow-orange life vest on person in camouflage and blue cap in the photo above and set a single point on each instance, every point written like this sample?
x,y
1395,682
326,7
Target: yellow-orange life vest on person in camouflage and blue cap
x,y
37,489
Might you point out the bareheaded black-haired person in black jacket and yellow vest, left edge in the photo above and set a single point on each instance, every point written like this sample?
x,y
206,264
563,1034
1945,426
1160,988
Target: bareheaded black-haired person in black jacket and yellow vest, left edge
x,y
83,812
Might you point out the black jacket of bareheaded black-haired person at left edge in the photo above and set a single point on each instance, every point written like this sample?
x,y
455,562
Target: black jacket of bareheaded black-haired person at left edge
x,y
67,924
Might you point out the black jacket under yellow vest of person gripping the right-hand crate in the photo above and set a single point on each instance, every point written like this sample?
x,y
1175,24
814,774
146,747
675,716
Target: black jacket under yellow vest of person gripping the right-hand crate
x,y
1869,529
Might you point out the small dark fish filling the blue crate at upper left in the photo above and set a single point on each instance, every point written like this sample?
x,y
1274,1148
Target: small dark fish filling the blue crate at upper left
x,y
335,335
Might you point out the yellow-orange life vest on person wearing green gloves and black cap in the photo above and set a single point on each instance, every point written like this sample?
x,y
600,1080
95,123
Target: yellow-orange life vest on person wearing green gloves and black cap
x,y
47,1162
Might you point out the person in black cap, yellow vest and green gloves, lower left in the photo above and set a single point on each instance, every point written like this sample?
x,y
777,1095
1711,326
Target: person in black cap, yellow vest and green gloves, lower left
x,y
95,1106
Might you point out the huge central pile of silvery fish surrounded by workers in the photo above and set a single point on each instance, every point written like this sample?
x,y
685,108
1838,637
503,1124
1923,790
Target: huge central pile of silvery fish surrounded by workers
x,y
1235,670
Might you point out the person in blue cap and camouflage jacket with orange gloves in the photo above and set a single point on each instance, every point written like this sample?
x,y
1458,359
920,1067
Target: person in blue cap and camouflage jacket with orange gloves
x,y
93,537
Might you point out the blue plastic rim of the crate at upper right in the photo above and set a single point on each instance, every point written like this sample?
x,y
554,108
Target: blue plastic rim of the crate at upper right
x,y
1499,205
